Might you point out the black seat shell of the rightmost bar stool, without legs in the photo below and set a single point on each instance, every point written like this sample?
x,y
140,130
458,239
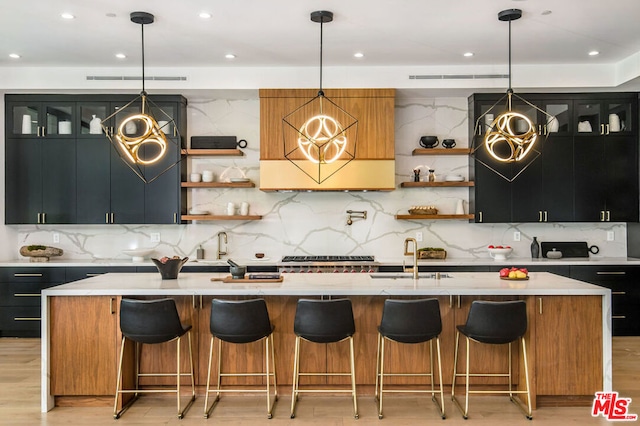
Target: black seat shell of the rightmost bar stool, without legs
x,y
496,322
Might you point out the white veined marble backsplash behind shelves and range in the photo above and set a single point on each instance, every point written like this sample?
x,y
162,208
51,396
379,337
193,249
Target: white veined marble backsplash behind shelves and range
x,y
316,223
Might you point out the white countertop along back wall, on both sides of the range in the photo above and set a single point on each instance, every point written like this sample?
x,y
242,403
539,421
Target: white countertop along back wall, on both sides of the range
x,y
515,261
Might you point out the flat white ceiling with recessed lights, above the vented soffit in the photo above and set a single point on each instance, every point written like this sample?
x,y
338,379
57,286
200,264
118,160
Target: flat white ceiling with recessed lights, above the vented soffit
x,y
279,33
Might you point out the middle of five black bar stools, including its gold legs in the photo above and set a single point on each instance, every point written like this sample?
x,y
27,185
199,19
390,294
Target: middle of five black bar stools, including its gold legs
x,y
323,321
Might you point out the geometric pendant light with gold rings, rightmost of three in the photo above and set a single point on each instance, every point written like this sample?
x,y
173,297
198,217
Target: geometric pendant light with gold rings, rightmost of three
x,y
510,141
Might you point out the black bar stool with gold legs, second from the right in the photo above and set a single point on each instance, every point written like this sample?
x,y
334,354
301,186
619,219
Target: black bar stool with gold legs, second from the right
x,y
410,322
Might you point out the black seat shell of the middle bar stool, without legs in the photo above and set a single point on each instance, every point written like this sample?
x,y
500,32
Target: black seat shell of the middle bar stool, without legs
x,y
324,321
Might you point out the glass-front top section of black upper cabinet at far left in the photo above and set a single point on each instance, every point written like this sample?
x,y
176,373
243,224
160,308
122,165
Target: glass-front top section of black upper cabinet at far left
x,y
37,119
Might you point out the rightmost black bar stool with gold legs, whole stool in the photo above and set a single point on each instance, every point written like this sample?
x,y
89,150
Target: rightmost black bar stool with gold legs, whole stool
x,y
494,323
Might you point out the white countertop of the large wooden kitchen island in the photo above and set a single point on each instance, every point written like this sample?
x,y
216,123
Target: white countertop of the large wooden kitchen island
x,y
459,283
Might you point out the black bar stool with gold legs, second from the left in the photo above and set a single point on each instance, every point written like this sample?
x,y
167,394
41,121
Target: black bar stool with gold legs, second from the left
x,y
243,321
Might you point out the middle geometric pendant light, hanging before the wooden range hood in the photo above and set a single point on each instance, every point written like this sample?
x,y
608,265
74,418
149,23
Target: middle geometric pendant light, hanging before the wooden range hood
x,y
319,136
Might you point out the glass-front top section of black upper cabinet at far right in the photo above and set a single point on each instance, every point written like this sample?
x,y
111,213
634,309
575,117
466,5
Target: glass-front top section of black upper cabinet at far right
x,y
604,117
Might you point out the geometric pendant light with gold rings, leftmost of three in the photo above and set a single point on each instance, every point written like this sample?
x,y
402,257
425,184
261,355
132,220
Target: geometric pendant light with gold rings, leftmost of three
x,y
139,140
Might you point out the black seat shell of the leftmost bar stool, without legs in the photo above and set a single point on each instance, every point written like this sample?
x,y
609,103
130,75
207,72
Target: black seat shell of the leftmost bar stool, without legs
x,y
150,321
